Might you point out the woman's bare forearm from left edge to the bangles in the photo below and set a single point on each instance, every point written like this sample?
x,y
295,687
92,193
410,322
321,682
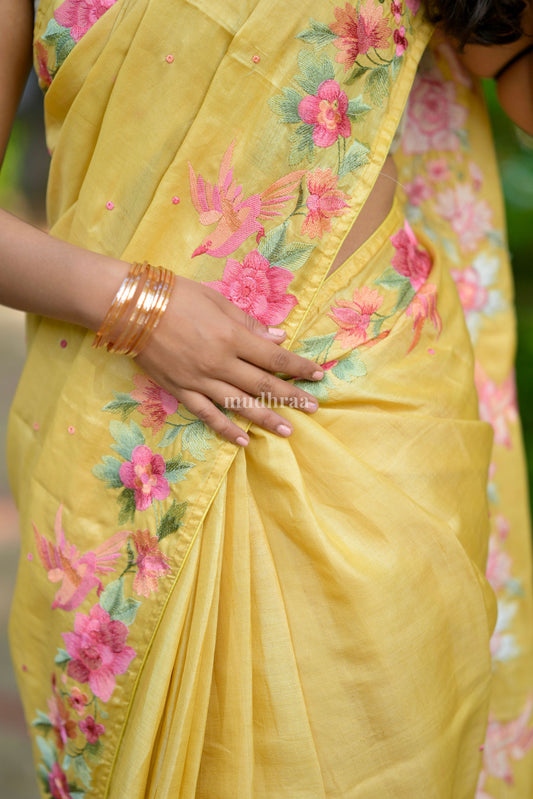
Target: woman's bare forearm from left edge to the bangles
x,y
43,275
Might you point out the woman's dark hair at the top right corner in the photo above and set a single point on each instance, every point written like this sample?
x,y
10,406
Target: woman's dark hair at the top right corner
x,y
478,21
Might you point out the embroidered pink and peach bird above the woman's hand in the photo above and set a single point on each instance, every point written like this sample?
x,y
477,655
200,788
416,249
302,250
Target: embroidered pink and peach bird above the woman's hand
x,y
236,218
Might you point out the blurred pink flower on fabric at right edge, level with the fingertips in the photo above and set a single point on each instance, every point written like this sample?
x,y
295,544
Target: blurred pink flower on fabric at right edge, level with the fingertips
x,y
497,404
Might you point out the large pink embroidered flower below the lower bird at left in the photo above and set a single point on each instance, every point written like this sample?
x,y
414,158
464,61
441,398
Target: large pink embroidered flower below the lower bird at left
x,y
98,651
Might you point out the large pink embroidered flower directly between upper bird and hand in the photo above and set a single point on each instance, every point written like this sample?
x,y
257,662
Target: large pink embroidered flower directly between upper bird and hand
x,y
257,288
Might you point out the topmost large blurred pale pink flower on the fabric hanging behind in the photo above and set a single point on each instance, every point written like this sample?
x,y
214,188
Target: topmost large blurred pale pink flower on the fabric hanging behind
x,y
433,116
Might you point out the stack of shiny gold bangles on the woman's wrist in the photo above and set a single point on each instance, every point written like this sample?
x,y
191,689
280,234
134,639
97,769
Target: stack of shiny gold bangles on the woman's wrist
x,y
134,314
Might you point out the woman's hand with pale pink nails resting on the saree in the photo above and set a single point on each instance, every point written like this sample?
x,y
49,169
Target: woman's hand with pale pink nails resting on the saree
x,y
207,352
